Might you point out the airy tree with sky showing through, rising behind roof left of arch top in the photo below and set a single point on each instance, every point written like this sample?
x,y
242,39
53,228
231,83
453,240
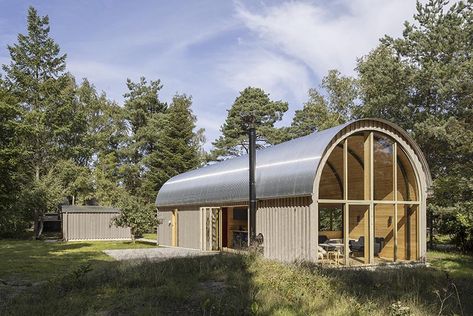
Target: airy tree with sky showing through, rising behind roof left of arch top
x,y
335,104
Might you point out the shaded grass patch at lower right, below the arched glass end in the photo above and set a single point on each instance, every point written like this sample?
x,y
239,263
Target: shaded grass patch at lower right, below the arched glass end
x,y
411,286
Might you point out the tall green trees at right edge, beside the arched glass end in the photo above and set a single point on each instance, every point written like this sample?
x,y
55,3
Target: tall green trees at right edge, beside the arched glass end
x,y
424,82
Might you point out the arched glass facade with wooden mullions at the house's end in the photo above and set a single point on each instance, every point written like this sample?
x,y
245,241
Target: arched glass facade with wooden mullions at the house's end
x,y
368,202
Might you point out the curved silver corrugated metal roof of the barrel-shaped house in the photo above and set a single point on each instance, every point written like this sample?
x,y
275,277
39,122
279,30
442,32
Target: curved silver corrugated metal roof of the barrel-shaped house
x,y
284,170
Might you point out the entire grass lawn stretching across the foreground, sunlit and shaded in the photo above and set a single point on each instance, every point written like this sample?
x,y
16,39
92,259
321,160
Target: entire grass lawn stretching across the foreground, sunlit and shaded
x,y
227,284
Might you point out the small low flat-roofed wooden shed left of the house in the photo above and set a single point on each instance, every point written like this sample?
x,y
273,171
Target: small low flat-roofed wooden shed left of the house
x,y
91,223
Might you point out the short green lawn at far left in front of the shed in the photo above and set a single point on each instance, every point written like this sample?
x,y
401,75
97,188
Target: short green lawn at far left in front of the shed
x,y
35,260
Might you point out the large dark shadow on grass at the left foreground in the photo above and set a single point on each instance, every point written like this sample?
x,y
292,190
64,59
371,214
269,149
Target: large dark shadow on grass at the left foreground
x,y
218,284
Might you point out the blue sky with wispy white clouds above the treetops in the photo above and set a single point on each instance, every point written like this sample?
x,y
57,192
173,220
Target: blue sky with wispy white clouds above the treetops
x,y
211,49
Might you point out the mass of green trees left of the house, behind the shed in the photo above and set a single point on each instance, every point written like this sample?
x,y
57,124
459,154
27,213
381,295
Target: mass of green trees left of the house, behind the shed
x,y
64,140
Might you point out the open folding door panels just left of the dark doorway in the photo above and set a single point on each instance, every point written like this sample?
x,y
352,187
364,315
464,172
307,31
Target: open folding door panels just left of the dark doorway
x,y
211,228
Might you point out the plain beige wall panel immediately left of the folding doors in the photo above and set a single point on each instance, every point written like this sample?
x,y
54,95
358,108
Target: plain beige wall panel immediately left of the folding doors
x,y
188,228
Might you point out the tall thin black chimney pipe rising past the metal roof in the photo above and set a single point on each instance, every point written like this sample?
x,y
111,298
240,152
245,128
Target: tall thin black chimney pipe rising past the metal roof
x,y
252,178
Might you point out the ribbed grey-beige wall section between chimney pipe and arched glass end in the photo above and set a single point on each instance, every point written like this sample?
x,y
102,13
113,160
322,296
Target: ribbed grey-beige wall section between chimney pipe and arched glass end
x,y
285,225
